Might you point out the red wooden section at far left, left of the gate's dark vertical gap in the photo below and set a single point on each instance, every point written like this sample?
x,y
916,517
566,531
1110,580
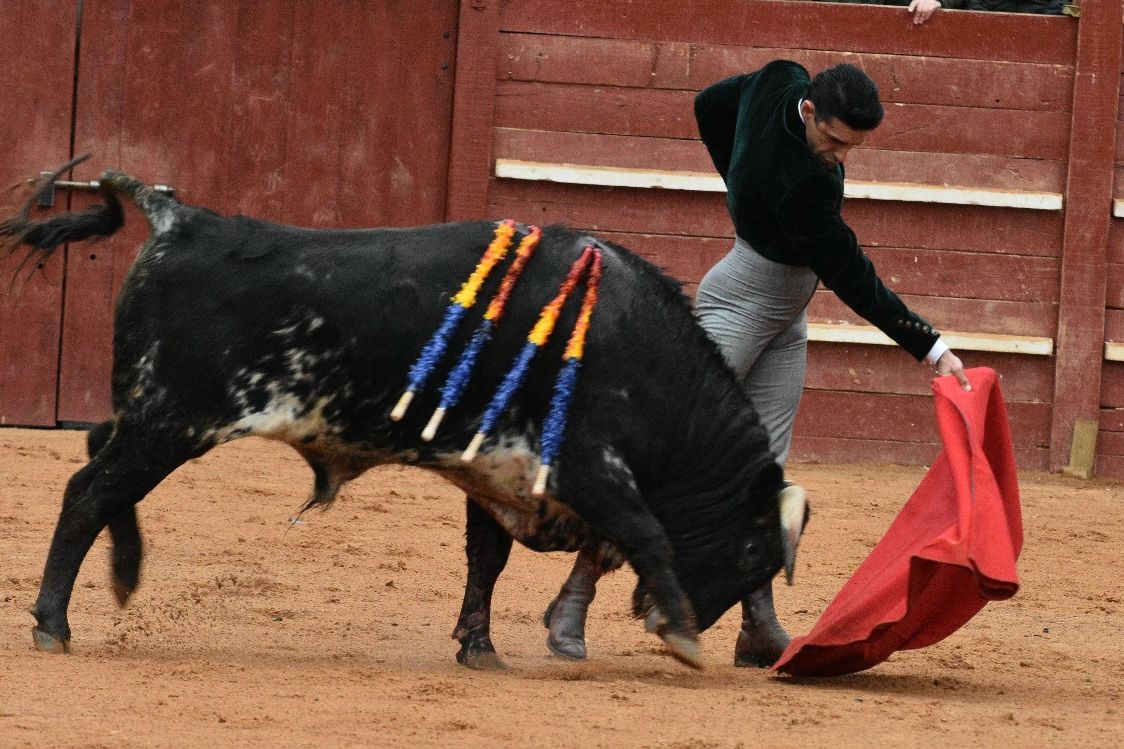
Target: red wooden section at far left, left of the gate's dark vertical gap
x,y
35,132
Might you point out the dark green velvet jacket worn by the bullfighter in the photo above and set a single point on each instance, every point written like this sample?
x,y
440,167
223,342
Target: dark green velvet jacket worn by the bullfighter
x,y
786,203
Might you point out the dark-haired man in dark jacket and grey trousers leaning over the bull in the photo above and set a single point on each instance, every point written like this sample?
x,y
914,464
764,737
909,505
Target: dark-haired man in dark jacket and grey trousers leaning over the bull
x,y
779,141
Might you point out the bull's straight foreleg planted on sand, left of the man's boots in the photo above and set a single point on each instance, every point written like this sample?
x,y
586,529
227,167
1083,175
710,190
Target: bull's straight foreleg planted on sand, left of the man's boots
x,y
487,548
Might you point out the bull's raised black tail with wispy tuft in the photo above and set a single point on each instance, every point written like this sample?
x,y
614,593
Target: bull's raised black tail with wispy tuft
x,y
43,238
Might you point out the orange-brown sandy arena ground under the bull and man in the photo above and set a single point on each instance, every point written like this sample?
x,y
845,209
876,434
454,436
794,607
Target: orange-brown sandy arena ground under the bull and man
x,y
336,633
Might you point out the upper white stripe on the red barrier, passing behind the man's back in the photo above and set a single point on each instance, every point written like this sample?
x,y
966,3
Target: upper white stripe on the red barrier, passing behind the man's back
x,y
708,183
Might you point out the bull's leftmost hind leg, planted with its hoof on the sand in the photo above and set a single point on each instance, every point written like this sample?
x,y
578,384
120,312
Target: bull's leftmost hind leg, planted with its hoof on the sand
x,y
122,473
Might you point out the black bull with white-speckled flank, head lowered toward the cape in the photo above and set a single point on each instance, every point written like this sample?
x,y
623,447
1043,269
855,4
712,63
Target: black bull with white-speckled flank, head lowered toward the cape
x,y
231,327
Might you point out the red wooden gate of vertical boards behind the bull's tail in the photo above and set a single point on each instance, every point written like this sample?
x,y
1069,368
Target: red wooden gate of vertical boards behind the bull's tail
x,y
309,113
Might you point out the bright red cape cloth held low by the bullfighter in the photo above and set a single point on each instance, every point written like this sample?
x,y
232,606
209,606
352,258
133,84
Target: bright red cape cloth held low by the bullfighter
x,y
951,549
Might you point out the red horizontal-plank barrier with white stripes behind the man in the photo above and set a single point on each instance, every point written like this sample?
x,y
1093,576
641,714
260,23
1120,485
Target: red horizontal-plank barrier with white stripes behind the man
x,y
983,198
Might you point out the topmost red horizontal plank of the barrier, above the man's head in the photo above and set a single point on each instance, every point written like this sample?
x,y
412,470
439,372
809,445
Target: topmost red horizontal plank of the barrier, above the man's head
x,y
804,25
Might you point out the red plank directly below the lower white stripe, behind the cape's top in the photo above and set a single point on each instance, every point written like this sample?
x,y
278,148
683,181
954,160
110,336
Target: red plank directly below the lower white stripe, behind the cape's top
x,y
891,371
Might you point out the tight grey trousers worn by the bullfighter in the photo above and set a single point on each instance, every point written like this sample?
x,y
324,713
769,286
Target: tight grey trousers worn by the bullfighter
x,y
755,310
